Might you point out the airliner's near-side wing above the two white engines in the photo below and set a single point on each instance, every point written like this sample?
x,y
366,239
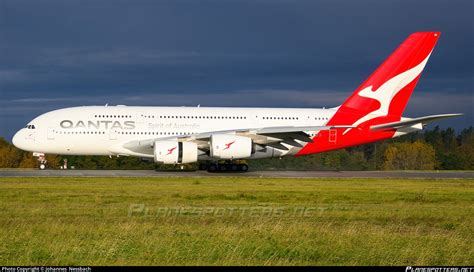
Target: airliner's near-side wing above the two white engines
x,y
267,136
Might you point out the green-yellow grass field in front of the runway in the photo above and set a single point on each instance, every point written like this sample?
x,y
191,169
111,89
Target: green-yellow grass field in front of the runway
x,y
235,221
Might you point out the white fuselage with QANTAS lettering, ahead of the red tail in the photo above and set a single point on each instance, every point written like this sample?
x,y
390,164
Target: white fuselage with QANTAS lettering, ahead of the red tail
x,y
97,130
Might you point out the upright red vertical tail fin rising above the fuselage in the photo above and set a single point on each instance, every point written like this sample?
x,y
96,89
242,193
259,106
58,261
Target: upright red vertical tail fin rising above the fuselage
x,y
390,86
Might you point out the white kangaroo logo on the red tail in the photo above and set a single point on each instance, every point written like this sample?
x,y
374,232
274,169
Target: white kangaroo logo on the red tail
x,y
387,91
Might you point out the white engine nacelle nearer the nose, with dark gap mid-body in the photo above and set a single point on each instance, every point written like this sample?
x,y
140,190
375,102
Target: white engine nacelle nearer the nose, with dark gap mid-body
x,y
173,152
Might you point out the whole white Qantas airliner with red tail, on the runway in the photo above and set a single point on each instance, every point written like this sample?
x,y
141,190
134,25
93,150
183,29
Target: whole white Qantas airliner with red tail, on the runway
x,y
223,138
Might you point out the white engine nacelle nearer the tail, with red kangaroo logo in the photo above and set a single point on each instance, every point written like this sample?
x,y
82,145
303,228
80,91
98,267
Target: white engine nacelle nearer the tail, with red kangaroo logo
x,y
225,146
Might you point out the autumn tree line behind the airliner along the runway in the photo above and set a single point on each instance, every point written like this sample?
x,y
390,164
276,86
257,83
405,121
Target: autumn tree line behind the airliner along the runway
x,y
433,149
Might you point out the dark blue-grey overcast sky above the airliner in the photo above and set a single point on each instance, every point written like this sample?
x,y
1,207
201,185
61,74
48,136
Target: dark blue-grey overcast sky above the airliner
x,y
271,53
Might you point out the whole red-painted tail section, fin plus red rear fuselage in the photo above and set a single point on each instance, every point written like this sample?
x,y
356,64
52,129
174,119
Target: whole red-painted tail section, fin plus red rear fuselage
x,y
382,97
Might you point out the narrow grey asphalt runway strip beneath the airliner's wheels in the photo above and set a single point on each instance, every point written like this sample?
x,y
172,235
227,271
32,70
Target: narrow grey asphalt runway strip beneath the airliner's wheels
x,y
270,174
